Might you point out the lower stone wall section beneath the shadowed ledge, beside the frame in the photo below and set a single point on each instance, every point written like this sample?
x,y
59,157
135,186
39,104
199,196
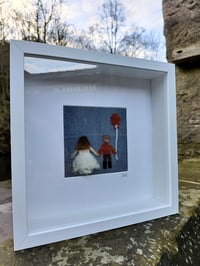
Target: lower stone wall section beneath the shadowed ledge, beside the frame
x,y
188,111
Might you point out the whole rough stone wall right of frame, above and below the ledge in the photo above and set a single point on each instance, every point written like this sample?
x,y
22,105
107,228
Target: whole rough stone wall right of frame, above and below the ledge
x,y
181,29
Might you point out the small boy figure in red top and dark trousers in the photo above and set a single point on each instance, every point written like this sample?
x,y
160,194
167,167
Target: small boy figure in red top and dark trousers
x,y
106,149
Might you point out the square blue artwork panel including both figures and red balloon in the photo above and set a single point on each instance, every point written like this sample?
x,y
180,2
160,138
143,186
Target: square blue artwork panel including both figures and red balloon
x,y
95,140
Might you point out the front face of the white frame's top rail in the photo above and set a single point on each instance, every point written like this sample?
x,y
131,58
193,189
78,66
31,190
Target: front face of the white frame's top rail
x,y
63,52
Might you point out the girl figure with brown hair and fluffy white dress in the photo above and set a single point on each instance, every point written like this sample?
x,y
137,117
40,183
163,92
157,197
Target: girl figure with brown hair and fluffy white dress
x,y
84,163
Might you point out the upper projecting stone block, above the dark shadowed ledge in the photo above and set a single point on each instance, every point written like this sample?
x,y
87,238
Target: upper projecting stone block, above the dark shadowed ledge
x,y
181,29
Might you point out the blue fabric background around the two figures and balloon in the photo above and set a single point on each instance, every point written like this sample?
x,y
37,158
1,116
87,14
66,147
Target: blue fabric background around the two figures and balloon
x,y
94,122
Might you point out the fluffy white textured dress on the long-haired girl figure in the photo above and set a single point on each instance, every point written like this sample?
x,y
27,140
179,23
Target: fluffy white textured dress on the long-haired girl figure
x,y
85,163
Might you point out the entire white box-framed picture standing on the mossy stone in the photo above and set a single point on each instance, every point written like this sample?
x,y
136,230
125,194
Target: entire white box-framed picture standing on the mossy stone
x,y
93,140
